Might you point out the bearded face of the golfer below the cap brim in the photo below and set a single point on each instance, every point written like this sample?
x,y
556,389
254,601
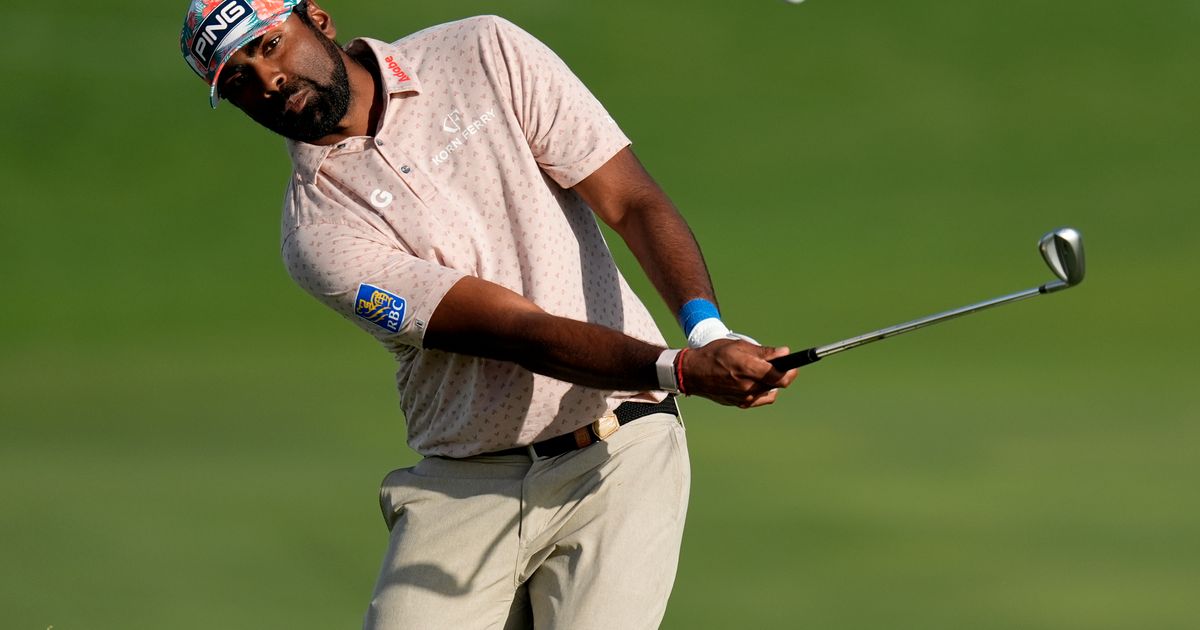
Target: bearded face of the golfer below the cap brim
x,y
292,81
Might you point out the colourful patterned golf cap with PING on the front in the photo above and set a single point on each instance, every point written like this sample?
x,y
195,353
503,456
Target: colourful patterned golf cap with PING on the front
x,y
215,29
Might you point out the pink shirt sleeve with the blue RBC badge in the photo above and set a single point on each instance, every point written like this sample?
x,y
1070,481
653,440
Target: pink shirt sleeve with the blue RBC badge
x,y
385,291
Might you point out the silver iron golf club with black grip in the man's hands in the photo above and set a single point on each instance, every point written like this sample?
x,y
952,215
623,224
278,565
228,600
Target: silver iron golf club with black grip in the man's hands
x,y
1061,249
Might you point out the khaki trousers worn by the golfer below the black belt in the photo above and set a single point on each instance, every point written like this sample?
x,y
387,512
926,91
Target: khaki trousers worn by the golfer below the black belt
x,y
585,541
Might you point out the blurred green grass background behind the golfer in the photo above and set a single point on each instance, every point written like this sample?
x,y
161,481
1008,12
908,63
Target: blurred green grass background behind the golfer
x,y
190,442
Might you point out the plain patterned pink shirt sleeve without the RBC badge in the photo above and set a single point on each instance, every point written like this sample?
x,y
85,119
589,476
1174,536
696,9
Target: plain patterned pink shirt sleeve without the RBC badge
x,y
569,133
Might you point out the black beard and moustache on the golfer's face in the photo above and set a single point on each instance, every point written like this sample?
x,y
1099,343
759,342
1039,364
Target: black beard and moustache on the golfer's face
x,y
328,103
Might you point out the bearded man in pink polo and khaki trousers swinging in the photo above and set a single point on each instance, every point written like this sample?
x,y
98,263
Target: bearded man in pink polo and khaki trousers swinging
x,y
445,196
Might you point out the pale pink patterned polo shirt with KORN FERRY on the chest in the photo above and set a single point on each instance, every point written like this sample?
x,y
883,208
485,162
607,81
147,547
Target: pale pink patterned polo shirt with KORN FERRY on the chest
x,y
484,134
